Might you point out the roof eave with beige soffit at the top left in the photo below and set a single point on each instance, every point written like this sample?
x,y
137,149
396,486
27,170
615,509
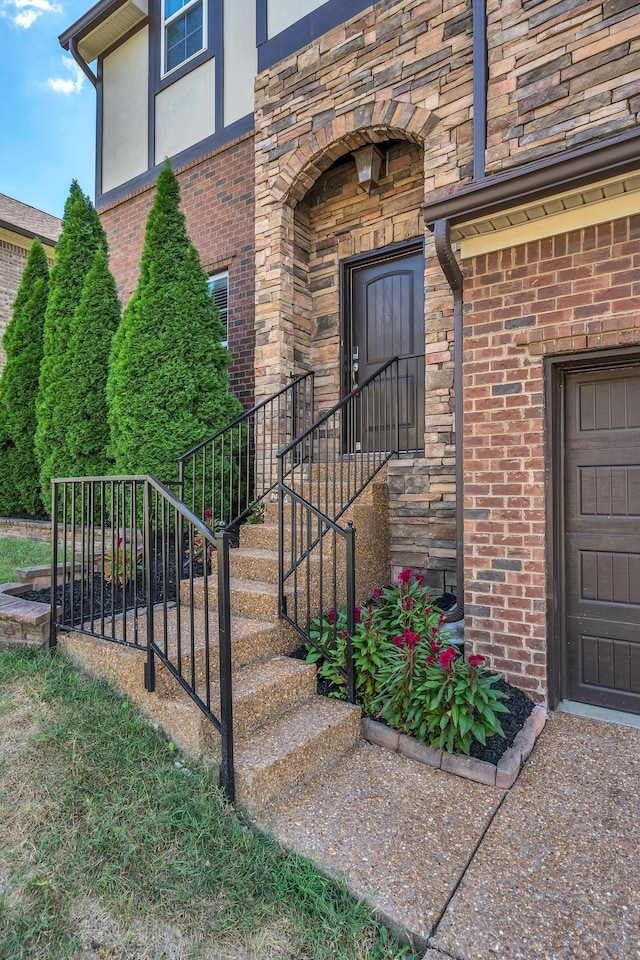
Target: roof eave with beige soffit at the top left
x,y
102,26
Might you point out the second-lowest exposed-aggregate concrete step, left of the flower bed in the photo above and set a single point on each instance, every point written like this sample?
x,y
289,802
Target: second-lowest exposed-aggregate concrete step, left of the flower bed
x,y
261,692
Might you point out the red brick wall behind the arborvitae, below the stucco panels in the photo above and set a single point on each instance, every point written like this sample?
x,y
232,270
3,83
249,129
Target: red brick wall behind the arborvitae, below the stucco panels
x,y
217,198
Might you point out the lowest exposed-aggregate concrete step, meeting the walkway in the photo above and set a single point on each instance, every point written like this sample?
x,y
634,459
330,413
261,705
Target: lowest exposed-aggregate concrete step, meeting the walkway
x,y
292,749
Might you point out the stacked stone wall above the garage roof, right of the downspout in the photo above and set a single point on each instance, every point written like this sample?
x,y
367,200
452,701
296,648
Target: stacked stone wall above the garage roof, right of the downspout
x,y
560,74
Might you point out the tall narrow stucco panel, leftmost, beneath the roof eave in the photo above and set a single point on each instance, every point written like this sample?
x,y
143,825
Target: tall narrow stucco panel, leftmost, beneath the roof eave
x,y
125,109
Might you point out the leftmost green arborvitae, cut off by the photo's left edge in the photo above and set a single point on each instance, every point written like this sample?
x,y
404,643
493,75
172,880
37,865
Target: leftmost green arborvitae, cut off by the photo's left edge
x,y
22,341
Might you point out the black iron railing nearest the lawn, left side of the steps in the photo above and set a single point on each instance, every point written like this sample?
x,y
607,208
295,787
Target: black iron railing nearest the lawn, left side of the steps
x,y
125,544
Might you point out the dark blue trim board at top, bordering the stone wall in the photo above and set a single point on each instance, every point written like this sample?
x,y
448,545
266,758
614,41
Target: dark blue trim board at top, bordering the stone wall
x,y
304,31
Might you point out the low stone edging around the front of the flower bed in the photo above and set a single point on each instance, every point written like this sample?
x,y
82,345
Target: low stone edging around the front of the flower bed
x,y
503,775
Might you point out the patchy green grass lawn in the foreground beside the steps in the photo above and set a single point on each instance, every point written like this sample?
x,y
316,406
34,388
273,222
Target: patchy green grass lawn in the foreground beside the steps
x,y
113,846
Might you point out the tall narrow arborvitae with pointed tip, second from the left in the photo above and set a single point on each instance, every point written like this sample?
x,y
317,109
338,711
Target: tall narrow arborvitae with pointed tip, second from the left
x,y
82,235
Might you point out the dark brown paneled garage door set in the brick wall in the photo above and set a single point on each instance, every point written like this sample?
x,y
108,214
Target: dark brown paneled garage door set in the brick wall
x,y
602,537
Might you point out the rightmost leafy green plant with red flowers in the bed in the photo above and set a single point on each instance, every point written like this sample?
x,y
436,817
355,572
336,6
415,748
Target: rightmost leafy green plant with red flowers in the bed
x,y
455,702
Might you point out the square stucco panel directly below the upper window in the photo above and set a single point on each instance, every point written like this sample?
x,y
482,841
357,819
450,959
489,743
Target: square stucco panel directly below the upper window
x,y
185,112
